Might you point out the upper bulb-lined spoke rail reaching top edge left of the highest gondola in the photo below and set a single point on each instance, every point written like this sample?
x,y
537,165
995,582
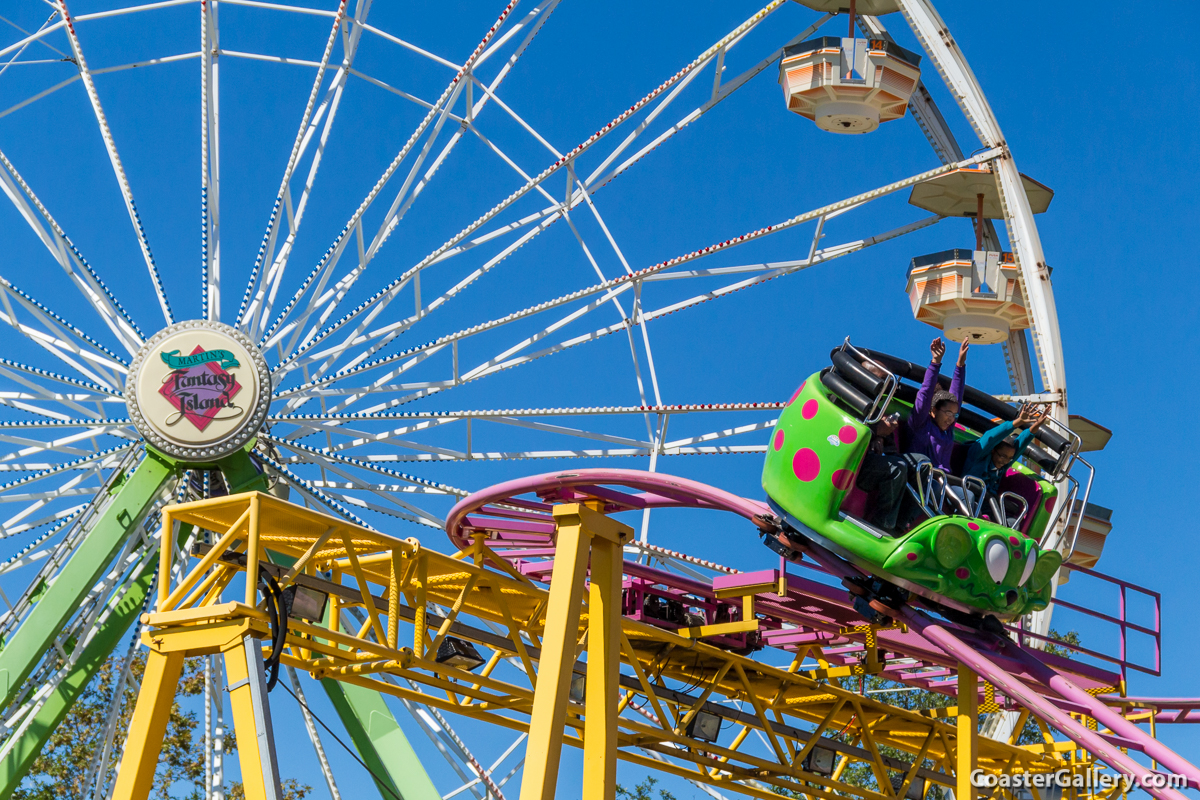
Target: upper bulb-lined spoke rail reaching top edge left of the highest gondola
x,y
393,290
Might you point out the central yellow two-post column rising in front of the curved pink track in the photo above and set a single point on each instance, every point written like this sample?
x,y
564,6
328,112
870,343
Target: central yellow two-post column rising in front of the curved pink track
x,y
578,530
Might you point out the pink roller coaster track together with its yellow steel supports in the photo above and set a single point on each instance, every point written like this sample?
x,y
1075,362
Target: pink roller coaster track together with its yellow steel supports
x,y
733,681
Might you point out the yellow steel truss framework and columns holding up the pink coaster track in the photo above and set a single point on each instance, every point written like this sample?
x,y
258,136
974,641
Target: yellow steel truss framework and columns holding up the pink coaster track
x,y
393,581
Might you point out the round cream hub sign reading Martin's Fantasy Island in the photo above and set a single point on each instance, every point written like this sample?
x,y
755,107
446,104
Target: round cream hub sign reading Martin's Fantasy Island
x,y
199,390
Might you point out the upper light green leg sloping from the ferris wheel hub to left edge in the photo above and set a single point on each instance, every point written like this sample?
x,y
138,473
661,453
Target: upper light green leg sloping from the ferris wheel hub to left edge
x,y
38,631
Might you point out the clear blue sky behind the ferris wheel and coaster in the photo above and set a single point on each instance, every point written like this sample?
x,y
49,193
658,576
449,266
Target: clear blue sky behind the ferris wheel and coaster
x,y
1099,105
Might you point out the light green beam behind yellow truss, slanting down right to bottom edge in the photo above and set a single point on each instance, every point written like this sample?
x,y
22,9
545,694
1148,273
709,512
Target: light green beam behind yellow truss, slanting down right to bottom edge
x,y
382,745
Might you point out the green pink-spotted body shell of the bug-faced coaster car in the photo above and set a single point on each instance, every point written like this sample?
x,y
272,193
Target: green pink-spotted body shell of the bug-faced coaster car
x,y
973,566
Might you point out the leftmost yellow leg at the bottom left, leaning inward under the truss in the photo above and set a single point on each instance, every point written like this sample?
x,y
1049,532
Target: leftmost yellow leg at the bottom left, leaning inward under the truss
x,y
148,726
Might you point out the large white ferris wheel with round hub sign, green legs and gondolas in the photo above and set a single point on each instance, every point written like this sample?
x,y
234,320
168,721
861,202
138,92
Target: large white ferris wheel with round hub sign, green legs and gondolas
x,y
315,365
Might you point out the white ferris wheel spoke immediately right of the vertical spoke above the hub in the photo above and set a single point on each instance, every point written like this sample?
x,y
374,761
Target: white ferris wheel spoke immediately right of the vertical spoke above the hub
x,y
250,311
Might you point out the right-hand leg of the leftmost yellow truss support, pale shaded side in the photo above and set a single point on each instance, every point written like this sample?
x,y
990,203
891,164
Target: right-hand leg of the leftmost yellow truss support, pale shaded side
x,y
253,720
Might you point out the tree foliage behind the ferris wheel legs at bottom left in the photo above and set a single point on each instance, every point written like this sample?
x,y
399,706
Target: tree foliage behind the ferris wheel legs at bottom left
x,y
61,771
